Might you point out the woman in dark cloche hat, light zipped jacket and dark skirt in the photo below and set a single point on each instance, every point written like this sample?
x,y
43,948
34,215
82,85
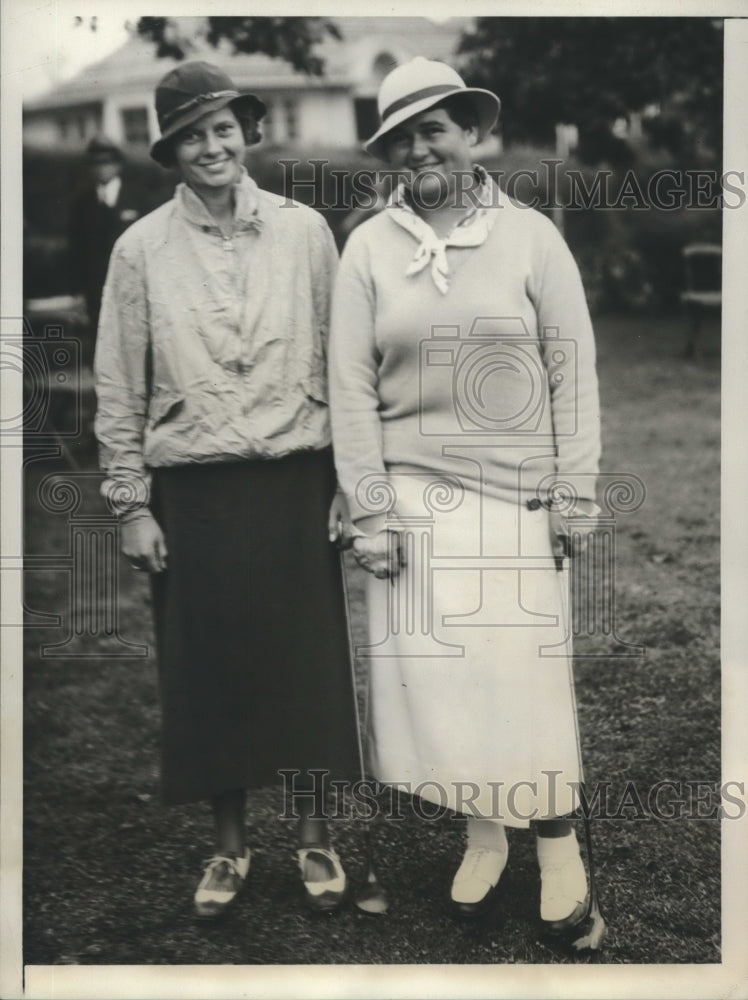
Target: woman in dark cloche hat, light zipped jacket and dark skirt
x,y
214,432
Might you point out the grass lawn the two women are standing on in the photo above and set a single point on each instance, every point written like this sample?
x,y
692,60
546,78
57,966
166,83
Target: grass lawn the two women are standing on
x,y
109,873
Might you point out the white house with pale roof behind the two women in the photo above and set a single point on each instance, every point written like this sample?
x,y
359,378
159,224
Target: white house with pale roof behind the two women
x,y
115,96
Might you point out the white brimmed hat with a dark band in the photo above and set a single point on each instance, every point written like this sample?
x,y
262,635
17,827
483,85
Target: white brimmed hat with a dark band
x,y
418,85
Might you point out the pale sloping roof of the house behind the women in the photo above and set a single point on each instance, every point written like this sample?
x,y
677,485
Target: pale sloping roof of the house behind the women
x,y
134,66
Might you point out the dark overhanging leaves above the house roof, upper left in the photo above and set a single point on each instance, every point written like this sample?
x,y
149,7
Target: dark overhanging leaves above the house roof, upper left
x,y
289,38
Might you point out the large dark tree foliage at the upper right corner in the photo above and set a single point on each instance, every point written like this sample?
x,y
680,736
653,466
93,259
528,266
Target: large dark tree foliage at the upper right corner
x,y
590,71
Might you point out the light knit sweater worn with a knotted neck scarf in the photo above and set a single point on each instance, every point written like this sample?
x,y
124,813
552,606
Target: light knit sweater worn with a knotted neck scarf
x,y
493,382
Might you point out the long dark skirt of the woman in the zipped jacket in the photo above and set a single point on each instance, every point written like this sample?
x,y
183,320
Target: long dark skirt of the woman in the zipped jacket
x,y
250,627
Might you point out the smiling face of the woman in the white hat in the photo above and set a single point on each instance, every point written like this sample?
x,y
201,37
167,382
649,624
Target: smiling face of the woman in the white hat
x,y
431,149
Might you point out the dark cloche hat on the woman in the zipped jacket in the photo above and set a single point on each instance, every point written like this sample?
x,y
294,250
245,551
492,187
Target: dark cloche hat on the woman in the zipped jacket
x,y
190,91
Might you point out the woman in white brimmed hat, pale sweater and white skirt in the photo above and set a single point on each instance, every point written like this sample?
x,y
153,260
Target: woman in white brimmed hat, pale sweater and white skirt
x,y
465,425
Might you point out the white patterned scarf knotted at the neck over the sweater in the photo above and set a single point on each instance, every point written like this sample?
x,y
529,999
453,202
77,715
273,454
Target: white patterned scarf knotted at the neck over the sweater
x,y
471,231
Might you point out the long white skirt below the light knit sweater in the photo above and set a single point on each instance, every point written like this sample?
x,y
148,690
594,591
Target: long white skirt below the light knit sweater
x,y
471,701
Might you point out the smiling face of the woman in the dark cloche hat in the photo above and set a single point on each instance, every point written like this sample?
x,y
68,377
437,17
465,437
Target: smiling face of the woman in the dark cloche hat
x,y
210,152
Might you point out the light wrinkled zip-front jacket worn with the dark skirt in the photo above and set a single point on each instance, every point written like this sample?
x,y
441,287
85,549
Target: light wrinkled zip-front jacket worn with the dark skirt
x,y
212,349
